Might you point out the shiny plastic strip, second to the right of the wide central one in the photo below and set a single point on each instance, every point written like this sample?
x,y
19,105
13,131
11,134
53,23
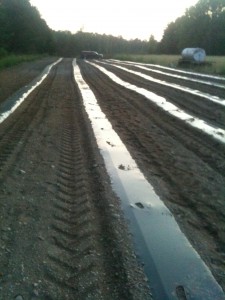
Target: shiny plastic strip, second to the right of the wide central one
x,y
176,86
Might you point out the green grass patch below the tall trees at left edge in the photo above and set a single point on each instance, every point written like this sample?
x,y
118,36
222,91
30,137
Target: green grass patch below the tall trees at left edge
x,y
12,60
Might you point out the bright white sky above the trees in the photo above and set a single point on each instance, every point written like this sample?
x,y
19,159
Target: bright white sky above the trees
x,y
129,19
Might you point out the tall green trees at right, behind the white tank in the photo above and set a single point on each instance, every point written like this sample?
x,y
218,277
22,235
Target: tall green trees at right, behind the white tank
x,y
201,26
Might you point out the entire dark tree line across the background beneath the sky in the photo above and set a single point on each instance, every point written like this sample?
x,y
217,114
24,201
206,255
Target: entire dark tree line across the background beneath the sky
x,y
22,30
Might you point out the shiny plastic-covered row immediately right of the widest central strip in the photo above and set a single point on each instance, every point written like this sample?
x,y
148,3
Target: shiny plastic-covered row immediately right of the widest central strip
x,y
215,132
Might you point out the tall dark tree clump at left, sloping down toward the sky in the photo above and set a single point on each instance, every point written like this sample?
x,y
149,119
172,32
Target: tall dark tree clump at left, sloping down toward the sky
x,y
21,28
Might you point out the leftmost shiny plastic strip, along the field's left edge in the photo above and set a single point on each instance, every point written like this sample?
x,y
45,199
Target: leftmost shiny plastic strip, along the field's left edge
x,y
14,101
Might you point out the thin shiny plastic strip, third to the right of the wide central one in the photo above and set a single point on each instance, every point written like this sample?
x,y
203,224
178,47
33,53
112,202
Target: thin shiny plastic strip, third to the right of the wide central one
x,y
211,83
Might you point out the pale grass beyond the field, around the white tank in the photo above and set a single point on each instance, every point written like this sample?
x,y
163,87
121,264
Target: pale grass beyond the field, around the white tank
x,y
215,64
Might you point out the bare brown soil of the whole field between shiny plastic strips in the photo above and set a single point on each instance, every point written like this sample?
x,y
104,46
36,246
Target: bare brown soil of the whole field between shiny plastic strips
x,y
64,234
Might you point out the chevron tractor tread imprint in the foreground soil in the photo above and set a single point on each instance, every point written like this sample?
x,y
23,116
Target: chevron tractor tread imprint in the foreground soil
x,y
73,227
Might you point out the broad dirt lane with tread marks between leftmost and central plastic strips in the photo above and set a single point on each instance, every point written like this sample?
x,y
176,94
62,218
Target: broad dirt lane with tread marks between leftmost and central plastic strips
x,y
62,232
